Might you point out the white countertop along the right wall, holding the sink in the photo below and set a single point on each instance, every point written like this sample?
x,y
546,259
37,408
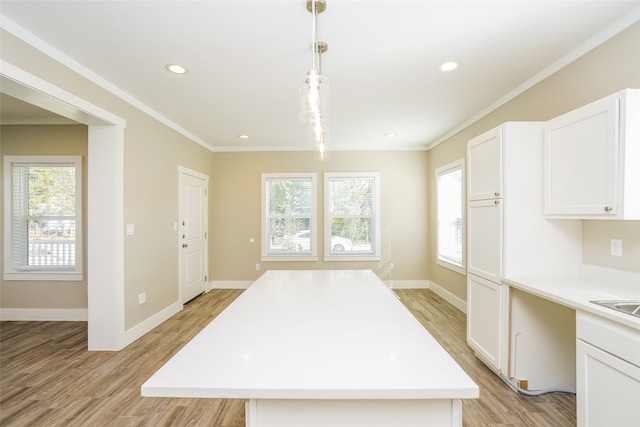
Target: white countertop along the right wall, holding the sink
x,y
576,292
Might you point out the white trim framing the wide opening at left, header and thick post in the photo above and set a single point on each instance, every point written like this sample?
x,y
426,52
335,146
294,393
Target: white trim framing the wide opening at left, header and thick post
x,y
105,202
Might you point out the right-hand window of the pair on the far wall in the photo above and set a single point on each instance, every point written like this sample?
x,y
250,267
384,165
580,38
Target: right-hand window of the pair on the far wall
x,y
352,216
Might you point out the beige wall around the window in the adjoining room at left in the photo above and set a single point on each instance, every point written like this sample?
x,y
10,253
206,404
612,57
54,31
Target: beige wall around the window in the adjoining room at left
x,y
45,141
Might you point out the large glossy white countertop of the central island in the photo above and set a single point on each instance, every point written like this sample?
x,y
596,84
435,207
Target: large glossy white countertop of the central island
x,y
313,335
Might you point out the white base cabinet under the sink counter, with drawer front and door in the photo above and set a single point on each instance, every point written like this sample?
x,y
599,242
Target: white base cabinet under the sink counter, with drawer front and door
x,y
608,373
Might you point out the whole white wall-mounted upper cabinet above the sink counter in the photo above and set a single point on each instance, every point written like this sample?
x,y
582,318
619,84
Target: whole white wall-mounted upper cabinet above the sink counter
x,y
592,159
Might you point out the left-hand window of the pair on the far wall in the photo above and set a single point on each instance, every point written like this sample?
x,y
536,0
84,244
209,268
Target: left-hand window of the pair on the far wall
x,y
288,217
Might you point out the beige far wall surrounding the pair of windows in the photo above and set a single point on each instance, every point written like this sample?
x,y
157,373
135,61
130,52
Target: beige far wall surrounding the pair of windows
x,y
236,210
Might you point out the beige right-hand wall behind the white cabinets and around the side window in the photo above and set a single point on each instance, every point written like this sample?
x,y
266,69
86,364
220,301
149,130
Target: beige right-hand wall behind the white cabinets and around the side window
x,y
613,66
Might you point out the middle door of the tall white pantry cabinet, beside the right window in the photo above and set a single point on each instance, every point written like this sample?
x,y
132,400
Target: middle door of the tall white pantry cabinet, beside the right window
x,y
484,239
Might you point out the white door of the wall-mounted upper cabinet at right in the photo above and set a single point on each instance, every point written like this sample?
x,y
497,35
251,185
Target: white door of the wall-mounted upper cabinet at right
x,y
581,160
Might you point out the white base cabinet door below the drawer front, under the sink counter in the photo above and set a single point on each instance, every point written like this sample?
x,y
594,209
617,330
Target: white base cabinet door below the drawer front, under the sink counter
x,y
608,389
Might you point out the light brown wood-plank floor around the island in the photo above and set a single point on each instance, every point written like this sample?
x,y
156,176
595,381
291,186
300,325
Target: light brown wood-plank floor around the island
x,y
48,378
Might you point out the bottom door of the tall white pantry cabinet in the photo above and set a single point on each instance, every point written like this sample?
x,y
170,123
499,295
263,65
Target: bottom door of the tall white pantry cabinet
x,y
484,319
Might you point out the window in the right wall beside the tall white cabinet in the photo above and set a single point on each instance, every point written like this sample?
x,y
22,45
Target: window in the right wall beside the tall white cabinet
x,y
450,237
